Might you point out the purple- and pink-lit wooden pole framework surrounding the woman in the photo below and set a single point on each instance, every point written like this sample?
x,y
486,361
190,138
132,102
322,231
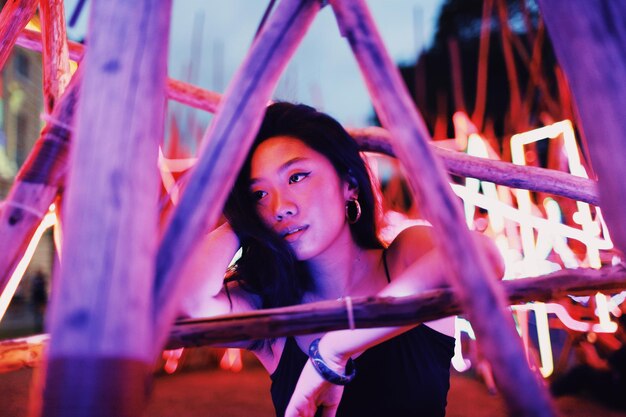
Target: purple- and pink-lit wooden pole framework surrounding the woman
x,y
113,270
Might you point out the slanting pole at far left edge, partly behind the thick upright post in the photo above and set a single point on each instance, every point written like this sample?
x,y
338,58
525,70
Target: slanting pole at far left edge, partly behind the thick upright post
x,y
36,185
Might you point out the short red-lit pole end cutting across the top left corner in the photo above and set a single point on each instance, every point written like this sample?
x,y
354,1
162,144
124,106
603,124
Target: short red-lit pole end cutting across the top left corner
x,y
14,16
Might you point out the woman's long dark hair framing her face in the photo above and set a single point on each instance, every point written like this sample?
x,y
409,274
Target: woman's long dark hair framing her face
x,y
268,267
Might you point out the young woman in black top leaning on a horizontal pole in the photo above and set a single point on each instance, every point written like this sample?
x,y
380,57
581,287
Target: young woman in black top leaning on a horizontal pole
x,y
305,215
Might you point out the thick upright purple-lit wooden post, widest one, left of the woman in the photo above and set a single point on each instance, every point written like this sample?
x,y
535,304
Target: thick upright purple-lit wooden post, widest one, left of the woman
x,y
101,347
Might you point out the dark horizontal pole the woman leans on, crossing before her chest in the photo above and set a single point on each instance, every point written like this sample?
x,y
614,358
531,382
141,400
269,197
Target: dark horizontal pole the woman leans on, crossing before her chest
x,y
384,311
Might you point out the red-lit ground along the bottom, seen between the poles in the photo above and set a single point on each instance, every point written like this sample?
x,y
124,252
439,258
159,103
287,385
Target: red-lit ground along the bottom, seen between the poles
x,y
214,392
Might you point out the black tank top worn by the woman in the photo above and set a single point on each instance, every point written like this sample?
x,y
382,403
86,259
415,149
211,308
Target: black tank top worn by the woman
x,y
408,375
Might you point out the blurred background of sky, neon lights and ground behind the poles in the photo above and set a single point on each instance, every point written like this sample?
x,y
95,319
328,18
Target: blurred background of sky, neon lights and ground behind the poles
x,y
485,79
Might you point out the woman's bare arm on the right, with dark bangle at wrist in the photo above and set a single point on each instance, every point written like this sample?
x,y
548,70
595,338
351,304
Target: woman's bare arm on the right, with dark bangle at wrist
x,y
412,274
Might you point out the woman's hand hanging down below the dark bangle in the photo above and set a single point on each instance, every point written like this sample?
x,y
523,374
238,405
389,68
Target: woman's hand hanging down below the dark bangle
x,y
313,391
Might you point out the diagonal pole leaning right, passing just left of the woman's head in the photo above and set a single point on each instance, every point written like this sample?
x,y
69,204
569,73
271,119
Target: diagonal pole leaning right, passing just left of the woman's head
x,y
226,144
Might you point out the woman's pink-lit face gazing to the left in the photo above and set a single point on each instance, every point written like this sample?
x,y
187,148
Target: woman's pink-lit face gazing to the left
x,y
299,195
